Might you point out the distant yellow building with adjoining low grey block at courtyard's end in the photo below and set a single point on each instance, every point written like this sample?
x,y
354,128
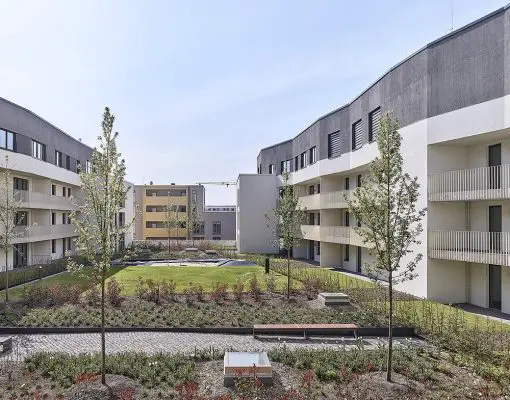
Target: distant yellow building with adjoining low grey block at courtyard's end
x,y
152,201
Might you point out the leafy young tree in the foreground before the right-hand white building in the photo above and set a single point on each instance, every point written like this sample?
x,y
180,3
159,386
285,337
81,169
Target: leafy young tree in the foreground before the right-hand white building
x,y
386,204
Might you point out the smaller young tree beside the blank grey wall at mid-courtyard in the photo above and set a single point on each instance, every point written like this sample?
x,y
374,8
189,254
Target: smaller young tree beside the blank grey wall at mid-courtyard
x,y
285,222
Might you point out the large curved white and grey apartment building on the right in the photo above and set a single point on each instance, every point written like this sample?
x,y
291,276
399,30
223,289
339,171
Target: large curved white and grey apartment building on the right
x,y
452,98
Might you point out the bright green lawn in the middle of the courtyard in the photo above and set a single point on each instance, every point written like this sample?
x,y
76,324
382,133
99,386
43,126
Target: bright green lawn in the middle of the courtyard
x,y
182,276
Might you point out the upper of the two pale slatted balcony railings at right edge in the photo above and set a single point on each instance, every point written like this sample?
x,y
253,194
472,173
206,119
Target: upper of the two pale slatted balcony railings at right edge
x,y
483,183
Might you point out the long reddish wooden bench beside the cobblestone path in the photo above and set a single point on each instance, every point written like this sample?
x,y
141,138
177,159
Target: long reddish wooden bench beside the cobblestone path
x,y
305,329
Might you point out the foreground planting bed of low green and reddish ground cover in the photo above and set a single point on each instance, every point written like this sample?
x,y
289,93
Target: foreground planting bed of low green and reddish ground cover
x,y
422,373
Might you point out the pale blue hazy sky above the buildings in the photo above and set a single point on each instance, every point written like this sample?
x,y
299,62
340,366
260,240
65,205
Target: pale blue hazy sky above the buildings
x,y
199,87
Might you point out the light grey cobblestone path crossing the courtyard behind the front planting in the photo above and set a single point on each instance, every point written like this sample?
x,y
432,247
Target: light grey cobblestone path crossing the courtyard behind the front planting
x,y
170,342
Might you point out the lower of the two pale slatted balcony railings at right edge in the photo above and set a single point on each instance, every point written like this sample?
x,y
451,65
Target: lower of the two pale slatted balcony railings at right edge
x,y
470,246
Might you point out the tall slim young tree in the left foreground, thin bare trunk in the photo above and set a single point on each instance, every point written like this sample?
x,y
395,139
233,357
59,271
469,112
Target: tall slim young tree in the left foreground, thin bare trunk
x,y
104,192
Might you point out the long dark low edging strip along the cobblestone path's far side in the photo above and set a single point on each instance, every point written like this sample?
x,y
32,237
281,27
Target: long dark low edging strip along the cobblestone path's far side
x,y
363,331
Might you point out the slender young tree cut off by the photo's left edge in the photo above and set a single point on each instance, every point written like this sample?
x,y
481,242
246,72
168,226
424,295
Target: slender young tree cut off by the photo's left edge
x,y
9,205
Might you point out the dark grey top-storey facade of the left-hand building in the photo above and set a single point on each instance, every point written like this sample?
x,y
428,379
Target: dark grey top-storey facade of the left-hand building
x,y
28,126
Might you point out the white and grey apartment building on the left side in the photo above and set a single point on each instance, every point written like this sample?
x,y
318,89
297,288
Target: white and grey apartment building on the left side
x,y
45,162
